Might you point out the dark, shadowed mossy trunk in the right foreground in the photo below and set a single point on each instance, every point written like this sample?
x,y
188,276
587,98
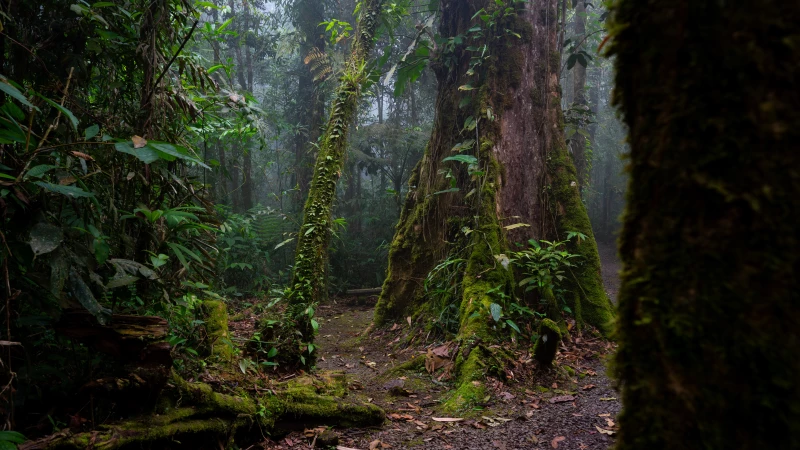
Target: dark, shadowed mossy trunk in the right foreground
x,y
709,314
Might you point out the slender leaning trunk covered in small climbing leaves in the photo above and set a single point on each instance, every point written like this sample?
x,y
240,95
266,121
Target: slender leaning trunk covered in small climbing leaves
x,y
309,284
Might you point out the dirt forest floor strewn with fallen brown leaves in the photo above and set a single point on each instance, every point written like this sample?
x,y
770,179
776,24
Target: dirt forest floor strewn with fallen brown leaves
x,y
572,407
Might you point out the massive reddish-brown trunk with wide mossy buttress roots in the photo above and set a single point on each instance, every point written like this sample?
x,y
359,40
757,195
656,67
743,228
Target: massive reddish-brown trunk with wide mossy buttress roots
x,y
528,176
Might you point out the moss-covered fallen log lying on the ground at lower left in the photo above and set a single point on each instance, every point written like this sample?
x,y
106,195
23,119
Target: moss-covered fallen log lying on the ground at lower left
x,y
193,416
